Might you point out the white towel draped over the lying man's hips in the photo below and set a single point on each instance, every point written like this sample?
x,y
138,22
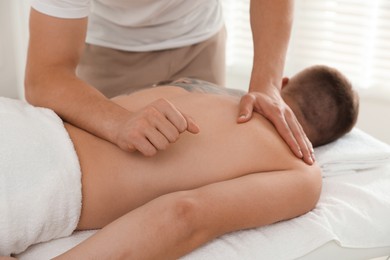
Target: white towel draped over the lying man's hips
x,y
40,177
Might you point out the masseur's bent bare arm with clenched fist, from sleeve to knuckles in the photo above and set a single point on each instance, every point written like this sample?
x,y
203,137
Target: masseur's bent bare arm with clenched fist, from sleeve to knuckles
x,y
51,82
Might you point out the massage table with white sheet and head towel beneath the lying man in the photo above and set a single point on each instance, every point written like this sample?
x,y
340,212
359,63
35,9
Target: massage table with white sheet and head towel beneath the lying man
x,y
350,221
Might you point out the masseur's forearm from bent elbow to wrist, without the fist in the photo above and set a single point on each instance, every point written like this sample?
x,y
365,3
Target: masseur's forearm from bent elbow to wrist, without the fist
x,y
75,101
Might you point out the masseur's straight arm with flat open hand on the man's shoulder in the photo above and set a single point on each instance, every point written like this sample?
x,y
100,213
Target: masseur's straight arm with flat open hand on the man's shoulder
x,y
264,95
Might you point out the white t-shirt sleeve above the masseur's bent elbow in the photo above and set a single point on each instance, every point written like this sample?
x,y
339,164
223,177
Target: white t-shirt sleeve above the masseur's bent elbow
x,y
63,8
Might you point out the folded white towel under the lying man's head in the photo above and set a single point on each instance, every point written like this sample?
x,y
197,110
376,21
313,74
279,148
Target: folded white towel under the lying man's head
x,y
353,152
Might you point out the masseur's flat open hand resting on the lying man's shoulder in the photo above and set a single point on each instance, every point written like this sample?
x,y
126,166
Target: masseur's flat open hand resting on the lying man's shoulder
x,y
282,117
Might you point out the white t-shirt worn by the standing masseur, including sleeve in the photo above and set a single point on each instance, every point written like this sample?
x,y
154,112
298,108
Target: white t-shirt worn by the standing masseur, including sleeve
x,y
141,25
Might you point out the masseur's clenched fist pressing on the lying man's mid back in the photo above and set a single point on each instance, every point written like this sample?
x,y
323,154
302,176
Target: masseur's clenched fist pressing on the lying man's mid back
x,y
154,127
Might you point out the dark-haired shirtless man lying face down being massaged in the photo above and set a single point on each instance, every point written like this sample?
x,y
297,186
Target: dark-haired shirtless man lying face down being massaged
x,y
227,177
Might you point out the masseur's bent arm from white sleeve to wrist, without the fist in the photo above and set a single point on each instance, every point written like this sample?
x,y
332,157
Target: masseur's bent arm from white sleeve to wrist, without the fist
x,y
55,48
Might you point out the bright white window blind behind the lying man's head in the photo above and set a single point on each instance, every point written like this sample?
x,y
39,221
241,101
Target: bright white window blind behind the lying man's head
x,y
351,35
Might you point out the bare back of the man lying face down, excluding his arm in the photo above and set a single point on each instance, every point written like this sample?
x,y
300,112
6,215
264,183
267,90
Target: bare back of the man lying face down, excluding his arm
x,y
115,182
